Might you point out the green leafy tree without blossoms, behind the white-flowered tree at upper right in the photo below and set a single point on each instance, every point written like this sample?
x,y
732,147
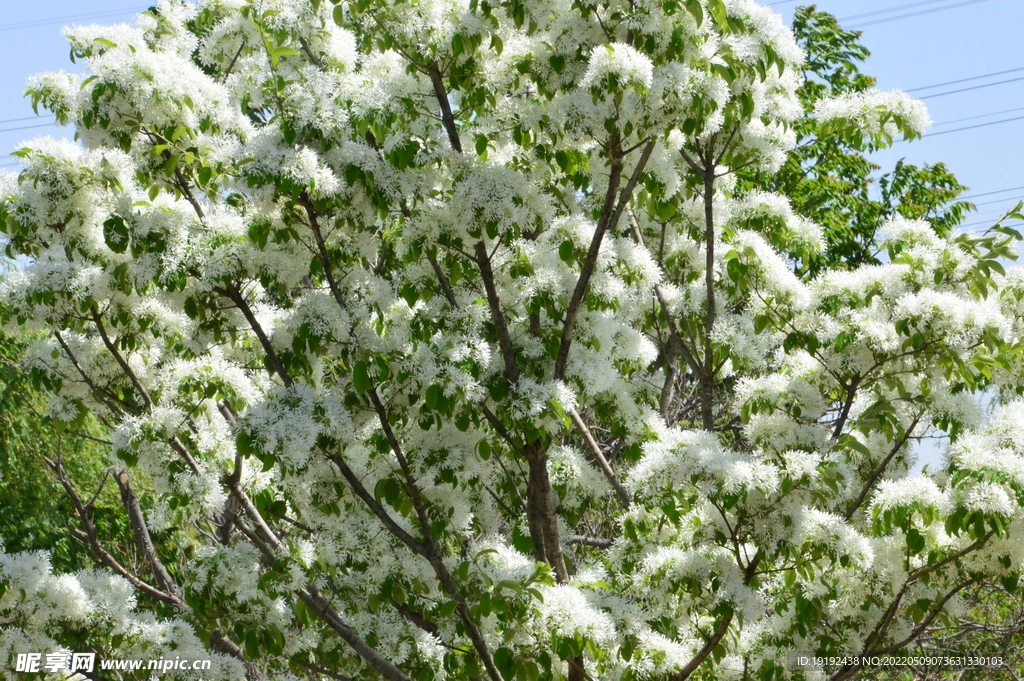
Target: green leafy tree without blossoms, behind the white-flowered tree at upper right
x,y
830,181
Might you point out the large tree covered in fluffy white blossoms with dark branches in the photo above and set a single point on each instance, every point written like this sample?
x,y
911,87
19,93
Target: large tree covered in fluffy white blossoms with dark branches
x,y
451,348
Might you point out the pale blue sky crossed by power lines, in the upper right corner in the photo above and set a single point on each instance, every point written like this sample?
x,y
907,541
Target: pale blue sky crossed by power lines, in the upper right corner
x,y
957,39
